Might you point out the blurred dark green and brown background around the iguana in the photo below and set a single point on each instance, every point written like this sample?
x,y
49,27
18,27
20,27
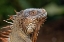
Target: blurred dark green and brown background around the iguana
x,y
53,29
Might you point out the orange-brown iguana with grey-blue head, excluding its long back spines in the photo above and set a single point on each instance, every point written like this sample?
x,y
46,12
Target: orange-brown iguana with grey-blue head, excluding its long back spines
x,y
26,25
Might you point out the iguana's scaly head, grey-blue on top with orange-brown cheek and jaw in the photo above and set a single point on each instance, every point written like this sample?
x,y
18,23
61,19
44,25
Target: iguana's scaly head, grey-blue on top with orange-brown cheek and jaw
x,y
32,18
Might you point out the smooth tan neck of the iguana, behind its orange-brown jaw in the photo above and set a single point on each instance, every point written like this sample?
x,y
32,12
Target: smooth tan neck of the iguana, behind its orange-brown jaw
x,y
17,35
